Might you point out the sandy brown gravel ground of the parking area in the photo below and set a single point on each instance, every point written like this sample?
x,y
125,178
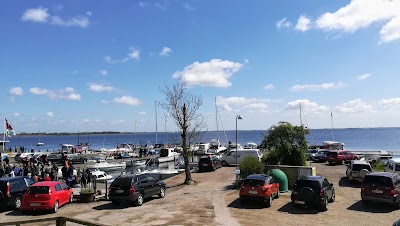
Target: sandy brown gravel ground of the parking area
x,y
213,201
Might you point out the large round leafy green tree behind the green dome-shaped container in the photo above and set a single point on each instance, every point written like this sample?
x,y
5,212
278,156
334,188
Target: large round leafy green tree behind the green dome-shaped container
x,y
286,143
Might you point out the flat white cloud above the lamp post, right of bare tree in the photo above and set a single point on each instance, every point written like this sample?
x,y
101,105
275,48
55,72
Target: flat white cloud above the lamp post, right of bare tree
x,y
237,103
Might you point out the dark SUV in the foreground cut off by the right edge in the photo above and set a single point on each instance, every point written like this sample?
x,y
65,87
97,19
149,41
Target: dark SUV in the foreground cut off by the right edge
x,y
381,187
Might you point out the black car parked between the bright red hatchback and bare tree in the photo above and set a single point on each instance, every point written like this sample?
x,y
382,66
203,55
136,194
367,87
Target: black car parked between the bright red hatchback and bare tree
x,y
135,188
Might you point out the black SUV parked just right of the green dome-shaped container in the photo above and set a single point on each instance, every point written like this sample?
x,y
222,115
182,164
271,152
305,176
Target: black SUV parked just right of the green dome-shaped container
x,y
313,191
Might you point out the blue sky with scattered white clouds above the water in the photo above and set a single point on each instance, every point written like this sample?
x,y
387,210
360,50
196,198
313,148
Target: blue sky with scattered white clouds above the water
x,y
71,66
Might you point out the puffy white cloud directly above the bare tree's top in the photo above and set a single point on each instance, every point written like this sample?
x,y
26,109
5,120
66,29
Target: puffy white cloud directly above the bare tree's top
x,y
214,73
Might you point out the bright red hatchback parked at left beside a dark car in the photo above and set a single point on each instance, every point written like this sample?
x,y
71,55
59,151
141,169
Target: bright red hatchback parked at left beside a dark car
x,y
47,195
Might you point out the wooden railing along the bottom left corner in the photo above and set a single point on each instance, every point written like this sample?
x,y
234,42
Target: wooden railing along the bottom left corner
x,y
60,221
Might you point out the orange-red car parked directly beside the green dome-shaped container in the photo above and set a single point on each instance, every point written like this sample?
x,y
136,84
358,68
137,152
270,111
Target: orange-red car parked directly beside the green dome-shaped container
x,y
259,188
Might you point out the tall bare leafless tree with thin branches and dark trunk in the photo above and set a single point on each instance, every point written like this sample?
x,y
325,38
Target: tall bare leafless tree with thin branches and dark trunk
x,y
183,108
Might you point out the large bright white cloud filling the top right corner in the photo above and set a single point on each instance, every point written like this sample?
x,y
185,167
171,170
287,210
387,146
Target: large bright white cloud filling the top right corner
x,y
360,14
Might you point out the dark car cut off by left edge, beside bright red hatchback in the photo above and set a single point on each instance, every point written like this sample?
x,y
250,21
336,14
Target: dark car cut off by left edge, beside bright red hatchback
x,y
12,190
